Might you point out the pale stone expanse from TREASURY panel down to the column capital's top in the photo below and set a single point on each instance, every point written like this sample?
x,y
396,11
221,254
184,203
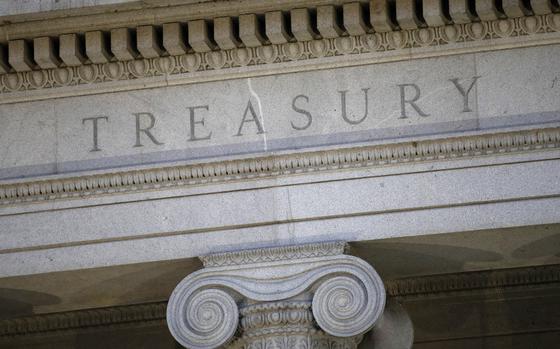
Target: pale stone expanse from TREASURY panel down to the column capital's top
x,y
248,203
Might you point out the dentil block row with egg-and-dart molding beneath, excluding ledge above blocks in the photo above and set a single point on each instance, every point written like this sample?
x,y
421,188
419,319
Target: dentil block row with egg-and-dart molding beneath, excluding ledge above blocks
x,y
122,66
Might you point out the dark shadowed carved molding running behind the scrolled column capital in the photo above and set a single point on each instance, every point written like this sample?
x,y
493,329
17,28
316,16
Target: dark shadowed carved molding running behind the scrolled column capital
x,y
135,315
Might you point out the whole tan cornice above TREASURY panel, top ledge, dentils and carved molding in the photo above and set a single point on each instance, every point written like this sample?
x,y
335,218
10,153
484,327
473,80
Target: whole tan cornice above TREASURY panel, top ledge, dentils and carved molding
x,y
155,45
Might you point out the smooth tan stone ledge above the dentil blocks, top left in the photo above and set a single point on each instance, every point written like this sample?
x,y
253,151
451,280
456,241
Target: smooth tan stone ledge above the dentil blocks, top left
x,y
133,13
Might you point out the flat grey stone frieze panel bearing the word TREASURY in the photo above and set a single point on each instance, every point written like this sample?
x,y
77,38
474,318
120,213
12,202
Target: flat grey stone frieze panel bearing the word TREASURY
x,y
377,103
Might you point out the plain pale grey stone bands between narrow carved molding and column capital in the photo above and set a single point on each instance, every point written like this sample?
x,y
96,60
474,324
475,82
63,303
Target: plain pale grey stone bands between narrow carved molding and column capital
x,y
366,203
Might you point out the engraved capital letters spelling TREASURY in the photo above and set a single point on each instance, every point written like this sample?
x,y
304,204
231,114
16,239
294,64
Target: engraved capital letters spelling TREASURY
x,y
301,117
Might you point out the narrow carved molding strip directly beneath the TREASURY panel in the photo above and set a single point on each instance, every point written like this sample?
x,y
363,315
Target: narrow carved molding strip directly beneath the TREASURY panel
x,y
24,191
